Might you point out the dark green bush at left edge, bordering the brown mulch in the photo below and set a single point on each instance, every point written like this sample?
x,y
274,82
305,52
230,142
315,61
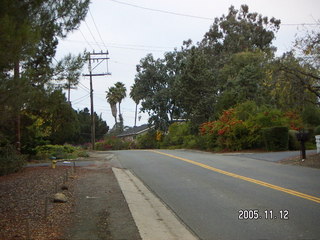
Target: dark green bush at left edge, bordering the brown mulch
x,y
10,160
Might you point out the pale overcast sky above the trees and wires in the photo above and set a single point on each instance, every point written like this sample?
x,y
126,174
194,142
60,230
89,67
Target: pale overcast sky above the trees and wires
x,y
130,32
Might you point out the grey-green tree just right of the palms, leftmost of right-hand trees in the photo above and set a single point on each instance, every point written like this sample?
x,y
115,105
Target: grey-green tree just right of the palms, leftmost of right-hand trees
x,y
154,82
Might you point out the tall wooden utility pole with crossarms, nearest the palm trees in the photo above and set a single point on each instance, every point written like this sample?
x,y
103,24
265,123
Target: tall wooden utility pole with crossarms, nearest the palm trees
x,y
99,57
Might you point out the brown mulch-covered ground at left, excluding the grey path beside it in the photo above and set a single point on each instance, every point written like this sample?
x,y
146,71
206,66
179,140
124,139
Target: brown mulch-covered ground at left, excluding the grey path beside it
x,y
26,209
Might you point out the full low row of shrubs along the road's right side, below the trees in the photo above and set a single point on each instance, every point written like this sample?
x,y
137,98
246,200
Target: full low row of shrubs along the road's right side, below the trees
x,y
247,126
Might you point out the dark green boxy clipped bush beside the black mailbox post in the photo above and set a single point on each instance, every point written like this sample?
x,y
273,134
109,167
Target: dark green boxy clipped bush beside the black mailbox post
x,y
276,138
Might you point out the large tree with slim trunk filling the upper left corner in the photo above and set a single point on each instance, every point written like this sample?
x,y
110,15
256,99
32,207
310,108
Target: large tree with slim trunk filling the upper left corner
x,y
29,33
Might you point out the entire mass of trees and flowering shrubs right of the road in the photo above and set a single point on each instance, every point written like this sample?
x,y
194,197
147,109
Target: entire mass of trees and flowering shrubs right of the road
x,y
231,89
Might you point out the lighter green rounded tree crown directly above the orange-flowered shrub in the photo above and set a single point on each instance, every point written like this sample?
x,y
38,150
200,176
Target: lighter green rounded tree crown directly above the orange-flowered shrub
x,y
244,78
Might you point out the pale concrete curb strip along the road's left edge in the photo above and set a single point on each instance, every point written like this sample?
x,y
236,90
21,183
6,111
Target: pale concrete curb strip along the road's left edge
x,y
153,219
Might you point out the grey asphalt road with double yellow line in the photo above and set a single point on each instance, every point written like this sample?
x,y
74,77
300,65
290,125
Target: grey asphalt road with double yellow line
x,y
209,192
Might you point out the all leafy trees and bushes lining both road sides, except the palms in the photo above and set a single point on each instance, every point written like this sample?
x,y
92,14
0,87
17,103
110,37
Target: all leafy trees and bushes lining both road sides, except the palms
x,y
230,91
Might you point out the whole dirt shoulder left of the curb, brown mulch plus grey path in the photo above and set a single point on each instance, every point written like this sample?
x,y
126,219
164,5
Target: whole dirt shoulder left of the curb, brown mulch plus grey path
x,y
96,208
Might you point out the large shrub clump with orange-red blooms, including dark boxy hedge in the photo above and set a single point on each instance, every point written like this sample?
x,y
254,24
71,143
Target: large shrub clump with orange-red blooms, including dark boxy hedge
x,y
250,126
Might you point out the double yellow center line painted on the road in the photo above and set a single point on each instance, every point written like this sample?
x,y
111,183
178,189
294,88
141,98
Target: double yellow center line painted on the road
x,y
265,184
